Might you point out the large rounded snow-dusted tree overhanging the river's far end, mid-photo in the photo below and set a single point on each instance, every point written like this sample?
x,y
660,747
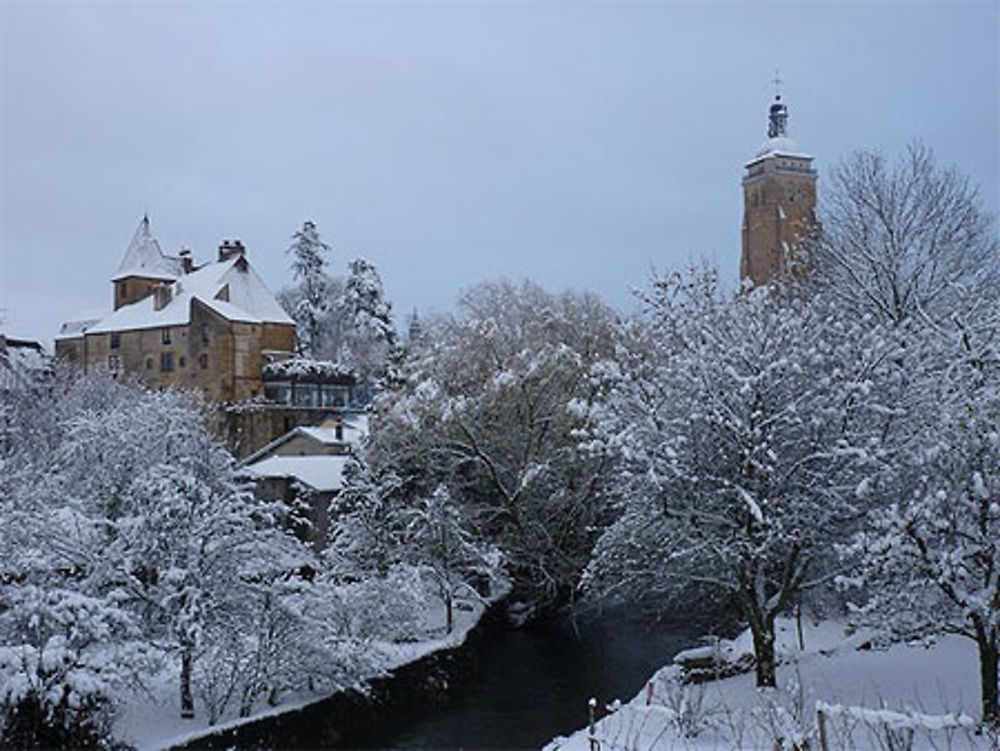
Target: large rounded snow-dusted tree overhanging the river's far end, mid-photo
x,y
490,409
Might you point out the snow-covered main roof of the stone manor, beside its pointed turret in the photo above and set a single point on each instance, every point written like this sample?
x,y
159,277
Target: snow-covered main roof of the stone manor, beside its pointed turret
x,y
248,300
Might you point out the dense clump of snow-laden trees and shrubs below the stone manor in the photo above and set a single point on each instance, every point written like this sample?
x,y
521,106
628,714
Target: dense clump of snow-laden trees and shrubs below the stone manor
x,y
130,549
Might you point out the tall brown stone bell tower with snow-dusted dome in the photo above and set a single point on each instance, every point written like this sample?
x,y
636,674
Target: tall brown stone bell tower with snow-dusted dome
x,y
779,201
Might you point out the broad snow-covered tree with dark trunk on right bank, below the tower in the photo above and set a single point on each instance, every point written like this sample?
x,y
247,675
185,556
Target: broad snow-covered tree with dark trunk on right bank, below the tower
x,y
742,429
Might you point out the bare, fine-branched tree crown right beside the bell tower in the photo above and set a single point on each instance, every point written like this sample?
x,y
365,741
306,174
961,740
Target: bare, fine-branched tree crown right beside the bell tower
x,y
906,238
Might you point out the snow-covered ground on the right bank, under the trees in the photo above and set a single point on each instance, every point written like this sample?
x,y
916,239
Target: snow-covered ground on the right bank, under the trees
x,y
866,695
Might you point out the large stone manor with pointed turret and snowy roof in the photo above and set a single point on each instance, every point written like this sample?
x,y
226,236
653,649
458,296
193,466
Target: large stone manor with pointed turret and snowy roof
x,y
211,327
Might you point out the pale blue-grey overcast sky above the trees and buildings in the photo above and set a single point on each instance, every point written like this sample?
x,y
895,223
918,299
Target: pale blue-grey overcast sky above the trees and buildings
x,y
577,144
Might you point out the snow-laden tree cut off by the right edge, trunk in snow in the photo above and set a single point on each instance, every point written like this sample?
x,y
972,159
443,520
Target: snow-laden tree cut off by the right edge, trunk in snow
x,y
929,561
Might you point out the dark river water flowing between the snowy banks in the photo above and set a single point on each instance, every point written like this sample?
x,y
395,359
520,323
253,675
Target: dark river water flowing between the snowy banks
x,y
534,684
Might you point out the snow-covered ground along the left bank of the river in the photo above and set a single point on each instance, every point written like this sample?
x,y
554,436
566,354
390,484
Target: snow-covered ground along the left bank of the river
x,y
152,720
